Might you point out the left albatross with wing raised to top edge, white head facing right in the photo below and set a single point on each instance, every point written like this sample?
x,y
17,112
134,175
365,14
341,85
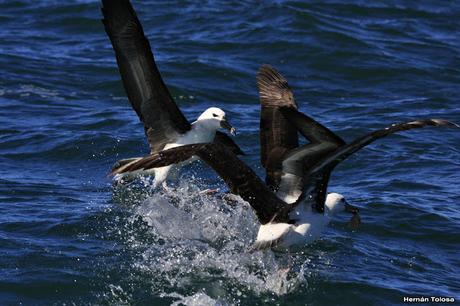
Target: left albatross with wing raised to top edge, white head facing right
x,y
164,124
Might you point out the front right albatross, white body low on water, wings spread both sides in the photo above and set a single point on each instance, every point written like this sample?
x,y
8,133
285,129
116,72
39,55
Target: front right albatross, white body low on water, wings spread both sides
x,y
283,224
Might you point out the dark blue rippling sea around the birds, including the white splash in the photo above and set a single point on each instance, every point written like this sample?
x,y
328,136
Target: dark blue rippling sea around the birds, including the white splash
x,y
68,237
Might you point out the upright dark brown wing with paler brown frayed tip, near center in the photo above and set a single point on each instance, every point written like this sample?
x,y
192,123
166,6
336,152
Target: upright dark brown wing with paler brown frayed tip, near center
x,y
277,135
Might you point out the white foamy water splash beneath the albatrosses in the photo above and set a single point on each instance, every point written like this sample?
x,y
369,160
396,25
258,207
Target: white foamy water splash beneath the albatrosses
x,y
201,246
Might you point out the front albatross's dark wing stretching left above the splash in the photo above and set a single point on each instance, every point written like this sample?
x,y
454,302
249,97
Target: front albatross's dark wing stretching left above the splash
x,y
240,178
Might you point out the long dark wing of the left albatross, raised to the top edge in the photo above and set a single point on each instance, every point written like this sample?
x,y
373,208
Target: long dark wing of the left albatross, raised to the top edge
x,y
144,86
